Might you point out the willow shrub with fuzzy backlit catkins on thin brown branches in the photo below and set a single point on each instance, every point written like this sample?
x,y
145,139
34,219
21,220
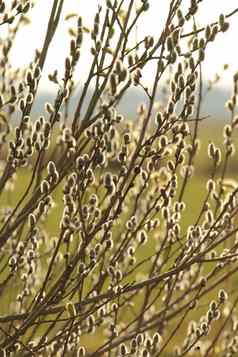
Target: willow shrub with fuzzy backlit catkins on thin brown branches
x,y
120,276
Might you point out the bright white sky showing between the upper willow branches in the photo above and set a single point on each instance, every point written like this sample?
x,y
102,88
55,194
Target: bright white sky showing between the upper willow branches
x,y
223,50
